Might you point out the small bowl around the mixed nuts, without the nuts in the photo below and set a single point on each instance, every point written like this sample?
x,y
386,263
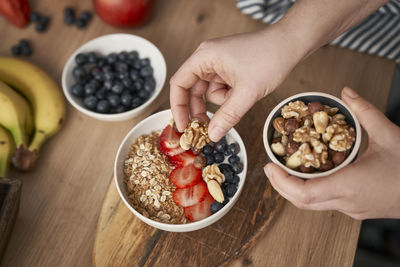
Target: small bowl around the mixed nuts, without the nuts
x,y
325,99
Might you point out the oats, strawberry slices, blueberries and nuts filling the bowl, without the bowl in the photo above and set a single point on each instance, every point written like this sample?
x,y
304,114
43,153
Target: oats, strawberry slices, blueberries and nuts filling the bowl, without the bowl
x,y
175,178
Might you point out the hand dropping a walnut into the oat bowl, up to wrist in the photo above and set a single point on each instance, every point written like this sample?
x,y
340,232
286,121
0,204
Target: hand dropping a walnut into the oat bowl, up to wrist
x,y
233,72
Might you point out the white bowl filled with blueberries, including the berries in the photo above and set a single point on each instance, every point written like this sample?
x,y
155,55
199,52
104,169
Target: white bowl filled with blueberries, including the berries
x,y
114,77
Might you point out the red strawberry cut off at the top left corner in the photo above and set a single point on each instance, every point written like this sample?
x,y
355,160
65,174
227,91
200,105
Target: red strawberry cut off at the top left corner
x,y
15,11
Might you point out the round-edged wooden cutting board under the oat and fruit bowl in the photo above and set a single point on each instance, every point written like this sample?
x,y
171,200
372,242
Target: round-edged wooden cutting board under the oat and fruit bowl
x,y
124,240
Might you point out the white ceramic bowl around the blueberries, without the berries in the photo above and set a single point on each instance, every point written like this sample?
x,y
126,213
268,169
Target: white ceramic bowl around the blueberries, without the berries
x,y
116,43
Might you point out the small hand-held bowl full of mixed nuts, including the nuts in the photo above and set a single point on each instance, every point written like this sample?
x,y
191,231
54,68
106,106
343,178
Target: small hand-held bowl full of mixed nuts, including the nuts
x,y
311,135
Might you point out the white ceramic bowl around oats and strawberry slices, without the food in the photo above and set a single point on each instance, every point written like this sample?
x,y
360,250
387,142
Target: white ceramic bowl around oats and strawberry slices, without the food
x,y
156,122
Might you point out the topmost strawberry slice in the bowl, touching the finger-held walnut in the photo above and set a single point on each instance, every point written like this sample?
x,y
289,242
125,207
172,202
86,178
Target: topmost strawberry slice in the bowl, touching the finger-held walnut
x,y
169,142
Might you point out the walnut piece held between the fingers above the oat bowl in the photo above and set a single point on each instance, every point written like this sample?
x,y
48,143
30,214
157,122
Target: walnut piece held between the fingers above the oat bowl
x,y
195,135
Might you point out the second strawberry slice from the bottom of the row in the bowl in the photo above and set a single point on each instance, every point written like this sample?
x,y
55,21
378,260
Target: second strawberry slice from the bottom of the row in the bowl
x,y
190,196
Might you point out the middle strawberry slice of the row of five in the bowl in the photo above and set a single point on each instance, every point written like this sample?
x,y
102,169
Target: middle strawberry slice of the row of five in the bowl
x,y
185,176
